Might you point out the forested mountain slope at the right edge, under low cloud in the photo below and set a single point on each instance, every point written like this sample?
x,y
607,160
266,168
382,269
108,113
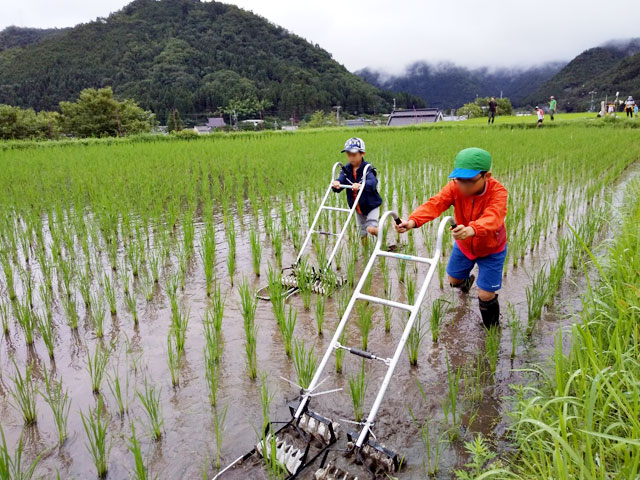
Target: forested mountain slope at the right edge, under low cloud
x,y
610,68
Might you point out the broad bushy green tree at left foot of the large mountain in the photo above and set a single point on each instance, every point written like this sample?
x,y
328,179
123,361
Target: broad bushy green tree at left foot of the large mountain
x,y
97,113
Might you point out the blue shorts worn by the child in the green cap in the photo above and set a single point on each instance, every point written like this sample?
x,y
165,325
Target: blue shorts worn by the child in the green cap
x,y
489,268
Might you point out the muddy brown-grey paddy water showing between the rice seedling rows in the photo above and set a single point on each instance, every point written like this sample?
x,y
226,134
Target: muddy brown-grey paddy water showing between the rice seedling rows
x,y
187,447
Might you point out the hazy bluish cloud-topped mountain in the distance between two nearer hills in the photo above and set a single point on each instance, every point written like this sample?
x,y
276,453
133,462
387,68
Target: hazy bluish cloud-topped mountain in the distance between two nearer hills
x,y
450,86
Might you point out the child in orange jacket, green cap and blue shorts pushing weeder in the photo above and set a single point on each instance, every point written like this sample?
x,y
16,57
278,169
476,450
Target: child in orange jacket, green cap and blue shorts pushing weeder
x,y
480,206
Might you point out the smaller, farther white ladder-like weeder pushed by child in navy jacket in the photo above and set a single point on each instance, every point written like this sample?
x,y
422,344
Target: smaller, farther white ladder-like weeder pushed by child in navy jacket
x,y
317,286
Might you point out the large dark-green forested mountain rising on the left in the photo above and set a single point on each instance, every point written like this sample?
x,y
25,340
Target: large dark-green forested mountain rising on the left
x,y
194,56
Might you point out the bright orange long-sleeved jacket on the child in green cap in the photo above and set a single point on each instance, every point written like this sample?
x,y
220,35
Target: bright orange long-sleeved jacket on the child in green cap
x,y
484,213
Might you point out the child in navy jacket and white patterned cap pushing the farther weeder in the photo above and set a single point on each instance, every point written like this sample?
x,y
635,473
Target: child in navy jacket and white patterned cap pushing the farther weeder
x,y
368,208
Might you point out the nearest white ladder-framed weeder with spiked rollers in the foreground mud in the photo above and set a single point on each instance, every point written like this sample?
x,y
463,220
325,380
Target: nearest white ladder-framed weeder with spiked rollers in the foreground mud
x,y
309,436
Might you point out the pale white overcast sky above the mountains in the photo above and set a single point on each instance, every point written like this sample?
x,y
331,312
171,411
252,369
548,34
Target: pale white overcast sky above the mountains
x,y
391,34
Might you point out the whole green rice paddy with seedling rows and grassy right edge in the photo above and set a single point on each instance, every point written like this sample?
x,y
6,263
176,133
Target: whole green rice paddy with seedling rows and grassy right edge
x,y
133,345
